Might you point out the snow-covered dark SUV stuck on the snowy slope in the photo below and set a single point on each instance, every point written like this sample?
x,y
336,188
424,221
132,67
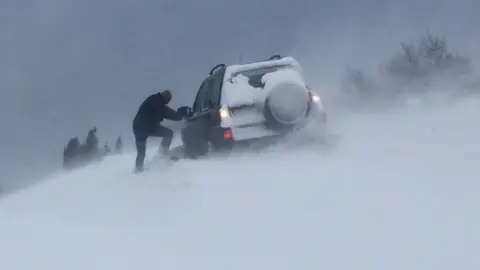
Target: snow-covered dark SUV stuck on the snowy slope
x,y
250,101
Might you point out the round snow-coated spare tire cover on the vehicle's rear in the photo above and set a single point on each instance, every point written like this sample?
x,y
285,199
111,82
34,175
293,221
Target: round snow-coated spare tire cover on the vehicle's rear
x,y
286,104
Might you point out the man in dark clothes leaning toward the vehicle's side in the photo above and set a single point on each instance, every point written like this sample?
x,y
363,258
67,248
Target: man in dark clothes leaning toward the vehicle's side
x,y
147,124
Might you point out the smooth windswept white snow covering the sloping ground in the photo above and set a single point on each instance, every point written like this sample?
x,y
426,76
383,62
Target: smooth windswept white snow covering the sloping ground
x,y
399,192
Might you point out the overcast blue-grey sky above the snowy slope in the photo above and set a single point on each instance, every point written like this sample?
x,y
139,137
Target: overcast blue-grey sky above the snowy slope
x,y
67,65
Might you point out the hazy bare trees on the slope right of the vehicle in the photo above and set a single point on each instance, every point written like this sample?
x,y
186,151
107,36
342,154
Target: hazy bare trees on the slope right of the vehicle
x,y
417,68
